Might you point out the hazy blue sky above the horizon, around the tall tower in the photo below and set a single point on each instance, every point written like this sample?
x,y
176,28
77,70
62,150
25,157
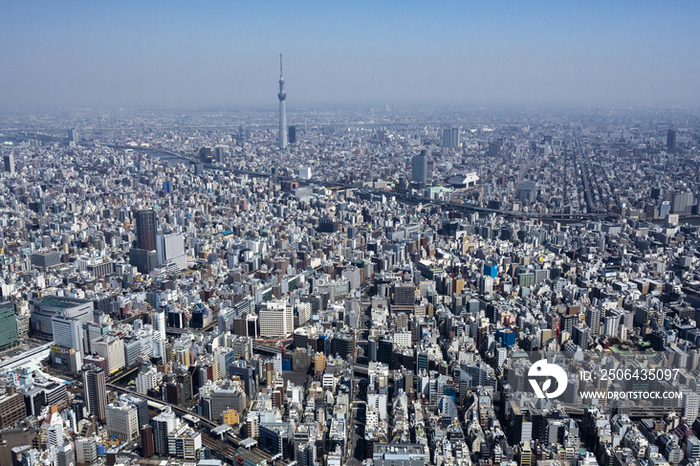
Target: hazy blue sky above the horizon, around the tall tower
x,y
199,53
